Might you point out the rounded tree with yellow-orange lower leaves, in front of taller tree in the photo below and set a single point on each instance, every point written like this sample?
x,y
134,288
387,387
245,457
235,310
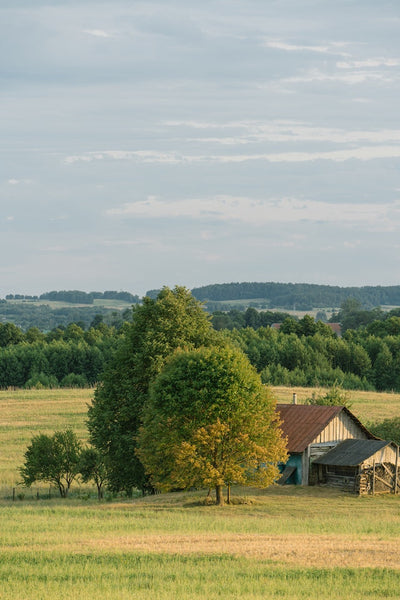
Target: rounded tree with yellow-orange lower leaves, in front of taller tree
x,y
210,422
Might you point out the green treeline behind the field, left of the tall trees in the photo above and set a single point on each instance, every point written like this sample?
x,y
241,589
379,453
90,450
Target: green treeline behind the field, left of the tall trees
x,y
66,356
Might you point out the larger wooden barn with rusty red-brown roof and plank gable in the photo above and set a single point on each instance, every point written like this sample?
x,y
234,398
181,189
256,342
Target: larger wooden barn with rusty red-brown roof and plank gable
x,y
312,431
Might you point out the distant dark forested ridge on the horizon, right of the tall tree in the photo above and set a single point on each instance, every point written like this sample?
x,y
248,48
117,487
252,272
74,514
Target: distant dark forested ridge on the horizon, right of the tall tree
x,y
299,296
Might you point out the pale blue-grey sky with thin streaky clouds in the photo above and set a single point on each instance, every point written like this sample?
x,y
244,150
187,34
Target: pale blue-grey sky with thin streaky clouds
x,y
159,143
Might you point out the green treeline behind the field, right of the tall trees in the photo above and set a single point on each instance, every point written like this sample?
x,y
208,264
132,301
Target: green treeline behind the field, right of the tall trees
x,y
306,353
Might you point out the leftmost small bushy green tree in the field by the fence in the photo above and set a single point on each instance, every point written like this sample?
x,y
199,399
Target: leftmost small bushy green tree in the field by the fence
x,y
53,459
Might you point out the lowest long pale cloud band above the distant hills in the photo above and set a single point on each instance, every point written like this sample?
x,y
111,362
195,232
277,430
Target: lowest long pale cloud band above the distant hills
x,y
261,212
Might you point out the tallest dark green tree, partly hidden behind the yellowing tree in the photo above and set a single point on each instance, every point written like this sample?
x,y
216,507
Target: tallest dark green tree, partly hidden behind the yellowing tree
x,y
173,320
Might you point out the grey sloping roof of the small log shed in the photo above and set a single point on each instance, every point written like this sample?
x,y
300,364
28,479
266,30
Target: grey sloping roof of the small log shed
x,y
351,453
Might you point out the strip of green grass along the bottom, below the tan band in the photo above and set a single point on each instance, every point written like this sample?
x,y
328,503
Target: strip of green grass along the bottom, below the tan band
x,y
160,577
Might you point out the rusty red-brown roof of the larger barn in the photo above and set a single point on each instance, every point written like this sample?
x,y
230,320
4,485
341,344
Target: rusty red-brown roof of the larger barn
x,y
302,423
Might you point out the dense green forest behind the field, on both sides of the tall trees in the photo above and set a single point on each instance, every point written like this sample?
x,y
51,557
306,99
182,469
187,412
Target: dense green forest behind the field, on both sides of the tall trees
x,y
302,352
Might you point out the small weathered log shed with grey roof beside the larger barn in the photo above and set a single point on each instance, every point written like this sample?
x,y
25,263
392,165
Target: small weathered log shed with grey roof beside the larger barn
x,y
360,466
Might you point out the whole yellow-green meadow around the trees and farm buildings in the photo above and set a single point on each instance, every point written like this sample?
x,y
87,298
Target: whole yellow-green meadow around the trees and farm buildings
x,y
290,542
